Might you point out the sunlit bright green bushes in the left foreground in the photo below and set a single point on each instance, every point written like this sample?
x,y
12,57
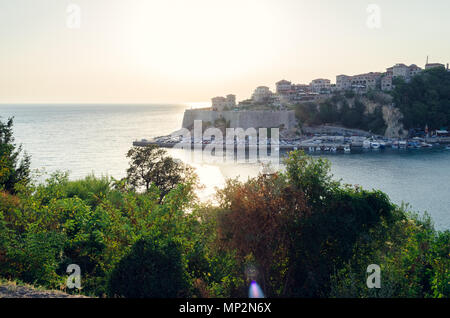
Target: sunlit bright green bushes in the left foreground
x,y
49,226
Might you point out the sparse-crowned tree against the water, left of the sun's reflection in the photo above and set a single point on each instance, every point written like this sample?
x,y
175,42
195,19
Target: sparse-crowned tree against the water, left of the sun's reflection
x,y
151,165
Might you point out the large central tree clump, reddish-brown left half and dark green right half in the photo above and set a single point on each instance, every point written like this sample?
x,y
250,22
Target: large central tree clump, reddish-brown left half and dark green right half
x,y
298,227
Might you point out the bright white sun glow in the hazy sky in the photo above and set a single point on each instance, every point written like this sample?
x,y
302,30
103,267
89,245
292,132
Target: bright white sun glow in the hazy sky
x,y
199,40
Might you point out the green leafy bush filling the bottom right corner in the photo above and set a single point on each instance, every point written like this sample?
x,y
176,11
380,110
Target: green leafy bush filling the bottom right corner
x,y
414,260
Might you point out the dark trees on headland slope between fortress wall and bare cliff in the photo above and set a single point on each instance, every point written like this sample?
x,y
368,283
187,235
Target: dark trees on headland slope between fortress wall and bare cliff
x,y
345,110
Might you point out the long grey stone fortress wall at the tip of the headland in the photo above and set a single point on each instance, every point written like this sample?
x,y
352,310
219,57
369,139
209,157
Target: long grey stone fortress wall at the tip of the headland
x,y
243,119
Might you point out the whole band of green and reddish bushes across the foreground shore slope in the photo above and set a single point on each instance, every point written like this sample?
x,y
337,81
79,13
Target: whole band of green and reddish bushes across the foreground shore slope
x,y
298,233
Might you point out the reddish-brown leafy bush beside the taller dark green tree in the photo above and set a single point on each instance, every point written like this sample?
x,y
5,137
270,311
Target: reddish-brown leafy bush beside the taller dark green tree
x,y
254,223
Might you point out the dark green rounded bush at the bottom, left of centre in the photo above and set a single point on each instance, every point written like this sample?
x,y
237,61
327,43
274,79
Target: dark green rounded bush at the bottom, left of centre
x,y
154,268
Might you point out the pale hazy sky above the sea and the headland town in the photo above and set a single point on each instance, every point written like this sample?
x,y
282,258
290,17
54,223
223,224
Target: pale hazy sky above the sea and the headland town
x,y
142,51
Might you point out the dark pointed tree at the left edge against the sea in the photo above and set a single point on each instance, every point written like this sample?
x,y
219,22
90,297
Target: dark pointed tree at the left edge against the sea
x,y
13,168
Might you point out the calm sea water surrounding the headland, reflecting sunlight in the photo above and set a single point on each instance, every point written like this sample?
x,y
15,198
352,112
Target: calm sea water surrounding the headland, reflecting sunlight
x,y
88,139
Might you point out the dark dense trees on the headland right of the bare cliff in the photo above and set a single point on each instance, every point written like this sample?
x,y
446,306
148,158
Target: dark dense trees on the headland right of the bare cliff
x,y
425,100
